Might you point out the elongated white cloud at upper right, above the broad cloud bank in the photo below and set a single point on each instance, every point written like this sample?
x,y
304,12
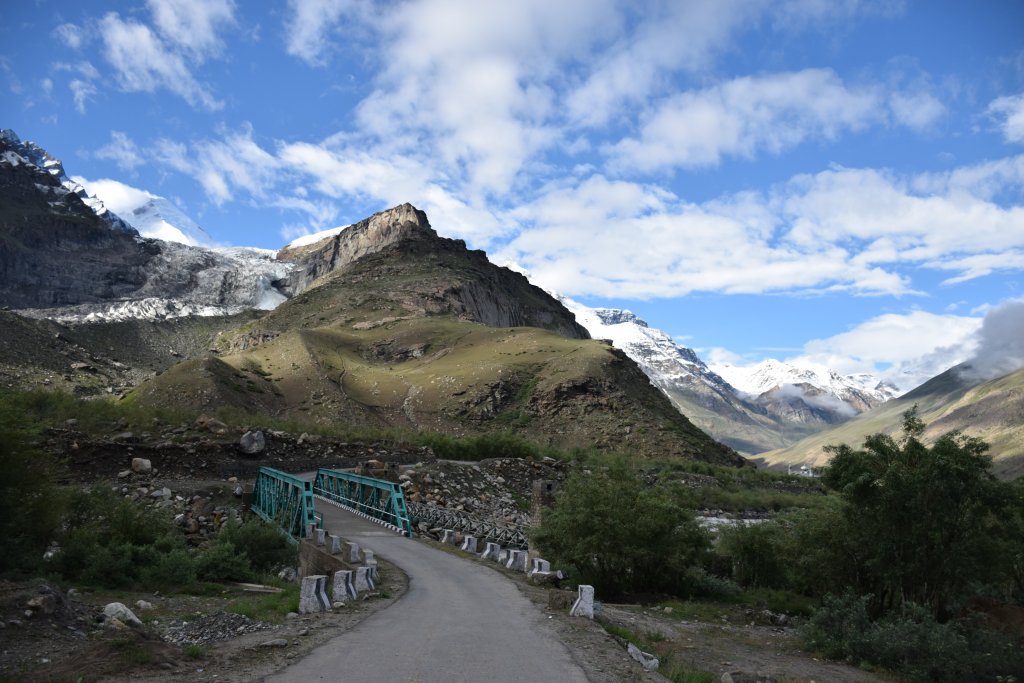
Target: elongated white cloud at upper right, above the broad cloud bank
x,y
746,116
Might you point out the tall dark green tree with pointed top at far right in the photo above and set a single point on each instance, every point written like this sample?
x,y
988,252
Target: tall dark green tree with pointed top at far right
x,y
926,523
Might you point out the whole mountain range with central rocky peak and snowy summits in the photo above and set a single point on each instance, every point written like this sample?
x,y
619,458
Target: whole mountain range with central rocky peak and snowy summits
x,y
383,323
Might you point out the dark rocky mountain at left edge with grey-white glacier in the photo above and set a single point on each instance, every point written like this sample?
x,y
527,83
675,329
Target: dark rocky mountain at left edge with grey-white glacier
x,y
115,274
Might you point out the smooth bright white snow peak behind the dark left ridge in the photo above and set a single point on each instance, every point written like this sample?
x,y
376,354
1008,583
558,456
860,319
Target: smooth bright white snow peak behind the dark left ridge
x,y
153,216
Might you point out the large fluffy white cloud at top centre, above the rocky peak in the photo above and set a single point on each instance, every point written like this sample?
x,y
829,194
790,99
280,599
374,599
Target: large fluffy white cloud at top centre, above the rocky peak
x,y
472,87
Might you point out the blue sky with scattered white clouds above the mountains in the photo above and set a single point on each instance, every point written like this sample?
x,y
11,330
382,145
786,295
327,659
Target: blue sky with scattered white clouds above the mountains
x,y
839,182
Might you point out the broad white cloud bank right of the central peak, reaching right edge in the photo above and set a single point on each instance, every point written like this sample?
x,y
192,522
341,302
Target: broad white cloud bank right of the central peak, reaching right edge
x,y
858,231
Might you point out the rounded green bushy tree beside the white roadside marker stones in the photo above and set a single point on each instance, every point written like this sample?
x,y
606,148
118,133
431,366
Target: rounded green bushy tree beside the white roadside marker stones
x,y
620,536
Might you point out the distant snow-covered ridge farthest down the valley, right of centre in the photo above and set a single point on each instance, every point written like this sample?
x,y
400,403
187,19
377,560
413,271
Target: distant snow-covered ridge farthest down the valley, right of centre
x,y
772,374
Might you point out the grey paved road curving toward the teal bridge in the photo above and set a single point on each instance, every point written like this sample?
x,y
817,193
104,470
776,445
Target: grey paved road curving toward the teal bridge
x,y
460,622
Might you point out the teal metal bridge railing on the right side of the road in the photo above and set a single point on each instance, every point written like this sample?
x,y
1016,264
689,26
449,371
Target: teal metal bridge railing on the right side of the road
x,y
375,498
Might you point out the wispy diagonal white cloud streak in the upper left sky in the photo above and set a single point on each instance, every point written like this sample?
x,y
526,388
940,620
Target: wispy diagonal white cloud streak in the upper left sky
x,y
145,64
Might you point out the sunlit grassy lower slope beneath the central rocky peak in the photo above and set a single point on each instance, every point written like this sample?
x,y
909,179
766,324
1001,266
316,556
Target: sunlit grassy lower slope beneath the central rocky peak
x,y
442,374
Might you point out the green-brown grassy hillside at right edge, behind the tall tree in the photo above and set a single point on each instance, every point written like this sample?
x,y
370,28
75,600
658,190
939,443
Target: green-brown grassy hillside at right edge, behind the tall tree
x,y
993,411
